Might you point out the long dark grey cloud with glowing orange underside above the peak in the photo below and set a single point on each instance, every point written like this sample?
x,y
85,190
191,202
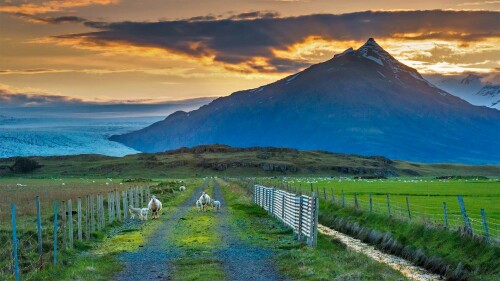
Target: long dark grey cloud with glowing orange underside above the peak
x,y
241,38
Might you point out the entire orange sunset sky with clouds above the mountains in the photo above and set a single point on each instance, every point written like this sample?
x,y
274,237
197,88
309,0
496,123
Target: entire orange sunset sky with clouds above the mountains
x,y
153,51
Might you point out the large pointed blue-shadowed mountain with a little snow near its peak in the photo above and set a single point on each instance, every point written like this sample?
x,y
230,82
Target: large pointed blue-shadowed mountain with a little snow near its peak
x,y
361,101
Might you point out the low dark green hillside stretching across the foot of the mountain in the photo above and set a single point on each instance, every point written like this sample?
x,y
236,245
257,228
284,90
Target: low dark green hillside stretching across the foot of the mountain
x,y
224,160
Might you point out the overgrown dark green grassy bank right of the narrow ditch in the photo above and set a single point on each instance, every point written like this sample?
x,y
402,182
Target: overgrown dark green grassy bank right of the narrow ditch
x,y
449,253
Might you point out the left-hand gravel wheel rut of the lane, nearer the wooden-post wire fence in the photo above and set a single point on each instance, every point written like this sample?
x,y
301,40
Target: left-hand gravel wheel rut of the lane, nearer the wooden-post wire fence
x,y
152,260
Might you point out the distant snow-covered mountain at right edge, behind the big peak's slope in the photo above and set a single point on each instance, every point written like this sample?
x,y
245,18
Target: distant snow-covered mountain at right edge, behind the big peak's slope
x,y
470,88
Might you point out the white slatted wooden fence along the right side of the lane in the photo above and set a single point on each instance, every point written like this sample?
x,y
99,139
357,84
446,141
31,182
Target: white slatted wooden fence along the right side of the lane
x,y
300,212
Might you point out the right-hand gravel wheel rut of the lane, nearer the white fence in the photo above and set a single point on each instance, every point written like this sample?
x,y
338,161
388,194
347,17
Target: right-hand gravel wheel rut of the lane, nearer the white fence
x,y
241,260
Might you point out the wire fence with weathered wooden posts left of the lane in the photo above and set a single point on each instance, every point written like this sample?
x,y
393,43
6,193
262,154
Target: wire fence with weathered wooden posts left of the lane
x,y
30,242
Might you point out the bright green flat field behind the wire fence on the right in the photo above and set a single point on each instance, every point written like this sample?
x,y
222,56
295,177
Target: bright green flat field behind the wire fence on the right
x,y
426,197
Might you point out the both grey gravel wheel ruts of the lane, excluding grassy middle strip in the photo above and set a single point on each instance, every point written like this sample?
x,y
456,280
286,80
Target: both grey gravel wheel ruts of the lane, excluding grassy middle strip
x,y
240,260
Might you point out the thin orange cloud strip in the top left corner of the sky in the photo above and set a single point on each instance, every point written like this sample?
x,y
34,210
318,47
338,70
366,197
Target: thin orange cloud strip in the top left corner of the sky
x,y
52,6
